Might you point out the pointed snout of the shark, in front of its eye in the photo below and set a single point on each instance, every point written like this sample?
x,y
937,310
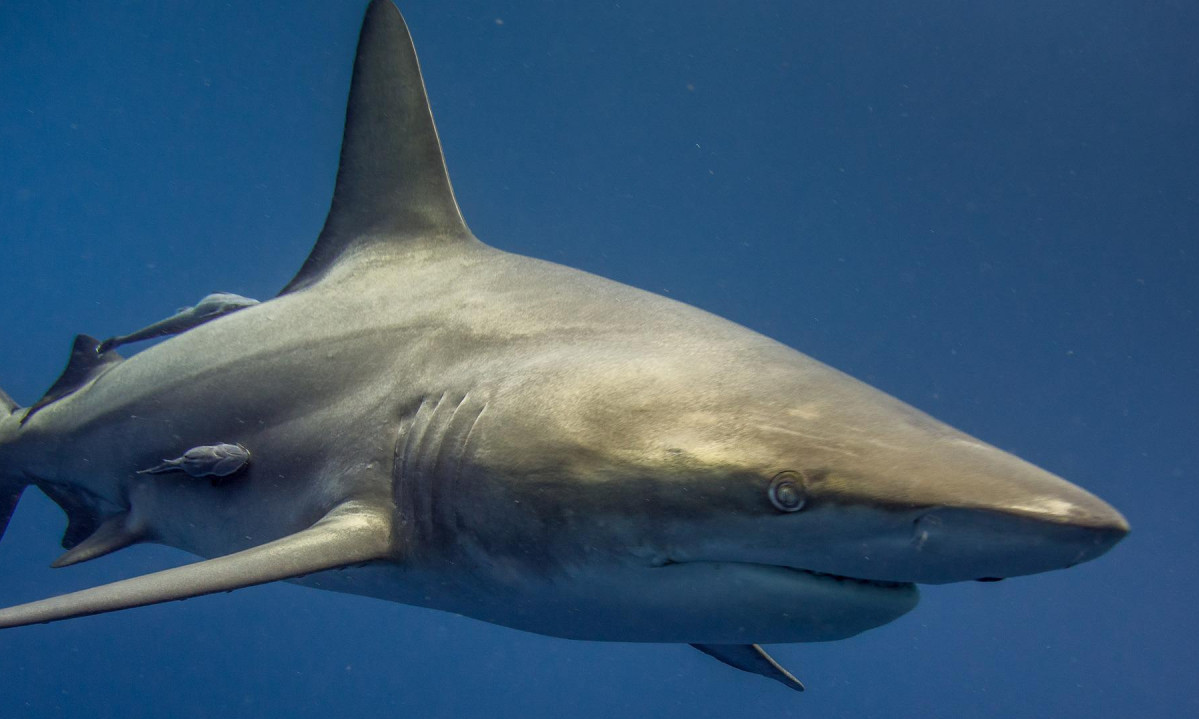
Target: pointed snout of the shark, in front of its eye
x,y
957,511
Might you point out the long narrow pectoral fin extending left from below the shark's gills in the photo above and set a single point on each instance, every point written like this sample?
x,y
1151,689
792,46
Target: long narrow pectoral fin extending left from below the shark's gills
x,y
352,534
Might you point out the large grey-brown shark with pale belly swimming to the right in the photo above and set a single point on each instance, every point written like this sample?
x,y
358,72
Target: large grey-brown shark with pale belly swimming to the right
x,y
424,419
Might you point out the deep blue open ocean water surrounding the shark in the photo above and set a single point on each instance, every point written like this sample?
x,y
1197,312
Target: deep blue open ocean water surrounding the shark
x,y
990,212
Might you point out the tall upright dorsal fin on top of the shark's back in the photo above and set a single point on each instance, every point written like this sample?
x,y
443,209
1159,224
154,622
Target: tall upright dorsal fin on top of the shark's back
x,y
393,186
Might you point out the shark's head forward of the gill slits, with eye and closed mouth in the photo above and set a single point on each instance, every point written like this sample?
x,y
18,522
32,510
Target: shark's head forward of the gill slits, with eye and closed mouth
x,y
733,476
